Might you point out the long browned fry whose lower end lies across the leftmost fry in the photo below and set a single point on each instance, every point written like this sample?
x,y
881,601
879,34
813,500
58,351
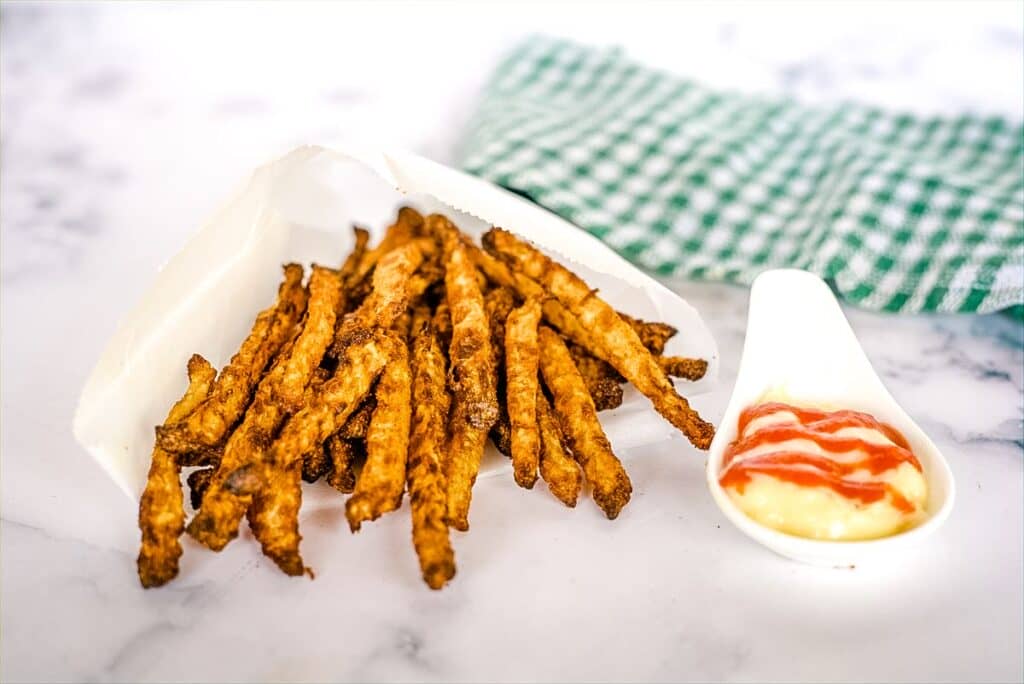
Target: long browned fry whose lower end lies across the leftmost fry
x,y
233,390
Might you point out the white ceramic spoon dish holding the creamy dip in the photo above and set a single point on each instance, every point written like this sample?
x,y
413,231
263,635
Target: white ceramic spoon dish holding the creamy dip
x,y
798,341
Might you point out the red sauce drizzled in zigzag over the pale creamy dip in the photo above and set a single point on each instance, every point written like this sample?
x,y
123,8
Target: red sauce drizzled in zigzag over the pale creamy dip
x,y
813,471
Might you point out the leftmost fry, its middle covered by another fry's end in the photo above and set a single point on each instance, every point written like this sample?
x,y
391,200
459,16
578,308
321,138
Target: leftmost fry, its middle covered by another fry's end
x,y
161,511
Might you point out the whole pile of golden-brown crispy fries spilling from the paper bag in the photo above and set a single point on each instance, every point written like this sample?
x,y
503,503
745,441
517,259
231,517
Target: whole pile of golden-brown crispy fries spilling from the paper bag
x,y
392,373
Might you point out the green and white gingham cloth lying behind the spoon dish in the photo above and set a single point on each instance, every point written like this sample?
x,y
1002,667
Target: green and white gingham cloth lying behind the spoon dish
x,y
900,213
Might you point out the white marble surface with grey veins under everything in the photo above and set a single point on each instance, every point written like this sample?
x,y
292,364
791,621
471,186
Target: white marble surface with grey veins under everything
x,y
122,127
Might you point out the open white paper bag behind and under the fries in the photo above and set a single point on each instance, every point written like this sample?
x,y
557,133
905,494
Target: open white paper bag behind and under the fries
x,y
302,208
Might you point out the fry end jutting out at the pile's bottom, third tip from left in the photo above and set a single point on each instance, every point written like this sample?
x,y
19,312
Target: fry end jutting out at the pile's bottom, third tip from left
x,y
274,518
